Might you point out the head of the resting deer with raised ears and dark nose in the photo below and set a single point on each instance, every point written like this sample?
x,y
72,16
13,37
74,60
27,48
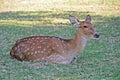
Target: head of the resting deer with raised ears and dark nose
x,y
85,27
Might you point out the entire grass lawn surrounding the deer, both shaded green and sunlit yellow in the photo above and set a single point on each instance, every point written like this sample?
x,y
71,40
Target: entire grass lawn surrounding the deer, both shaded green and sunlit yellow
x,y
100,59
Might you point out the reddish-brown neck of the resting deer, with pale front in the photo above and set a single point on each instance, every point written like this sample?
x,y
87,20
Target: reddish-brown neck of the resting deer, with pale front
x,y
78,42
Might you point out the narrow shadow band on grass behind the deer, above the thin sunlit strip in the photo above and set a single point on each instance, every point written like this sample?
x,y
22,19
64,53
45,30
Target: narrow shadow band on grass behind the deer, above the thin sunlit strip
x,y
36,15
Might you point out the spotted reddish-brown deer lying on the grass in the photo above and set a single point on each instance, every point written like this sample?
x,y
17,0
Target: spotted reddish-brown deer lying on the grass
x,y
55,49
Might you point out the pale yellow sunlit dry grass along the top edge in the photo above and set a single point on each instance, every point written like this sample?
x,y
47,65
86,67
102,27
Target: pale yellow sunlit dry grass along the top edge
x,y
98,7
